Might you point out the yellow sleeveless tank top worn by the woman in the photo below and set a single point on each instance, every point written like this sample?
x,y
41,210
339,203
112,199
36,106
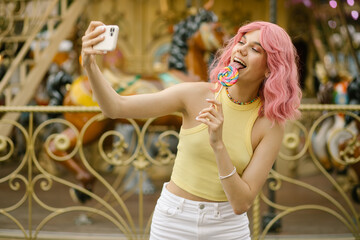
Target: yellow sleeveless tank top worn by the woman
x,y
195,169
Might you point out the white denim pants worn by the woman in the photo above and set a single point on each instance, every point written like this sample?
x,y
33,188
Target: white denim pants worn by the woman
x,y
176,218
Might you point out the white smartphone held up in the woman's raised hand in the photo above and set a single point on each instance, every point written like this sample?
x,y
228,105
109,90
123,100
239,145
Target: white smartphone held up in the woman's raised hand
x,y
110,41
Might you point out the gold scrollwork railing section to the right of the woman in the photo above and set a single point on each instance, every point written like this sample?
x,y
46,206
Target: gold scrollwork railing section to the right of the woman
x,y
298,144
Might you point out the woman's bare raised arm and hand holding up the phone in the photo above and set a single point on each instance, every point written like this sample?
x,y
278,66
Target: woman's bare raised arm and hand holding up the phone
x,y
114,105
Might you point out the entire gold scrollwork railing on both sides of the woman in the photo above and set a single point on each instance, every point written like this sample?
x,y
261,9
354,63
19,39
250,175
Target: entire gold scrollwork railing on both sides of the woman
x,y
127,152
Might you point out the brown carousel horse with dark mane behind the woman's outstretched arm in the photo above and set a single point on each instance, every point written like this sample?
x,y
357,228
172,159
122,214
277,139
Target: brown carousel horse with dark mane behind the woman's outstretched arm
x,y
207,35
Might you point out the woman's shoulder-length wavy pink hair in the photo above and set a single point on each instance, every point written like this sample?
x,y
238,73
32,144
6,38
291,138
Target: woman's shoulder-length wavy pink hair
x,y
280,92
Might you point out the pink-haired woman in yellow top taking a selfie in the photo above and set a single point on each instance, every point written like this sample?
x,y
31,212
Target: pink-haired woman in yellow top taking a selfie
x,y
230,136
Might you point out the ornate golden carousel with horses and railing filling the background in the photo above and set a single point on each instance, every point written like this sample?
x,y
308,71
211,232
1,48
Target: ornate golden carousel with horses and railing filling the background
x,y
68,171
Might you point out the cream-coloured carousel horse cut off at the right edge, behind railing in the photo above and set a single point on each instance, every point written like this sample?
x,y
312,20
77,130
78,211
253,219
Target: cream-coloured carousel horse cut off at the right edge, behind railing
x,y
336,134
